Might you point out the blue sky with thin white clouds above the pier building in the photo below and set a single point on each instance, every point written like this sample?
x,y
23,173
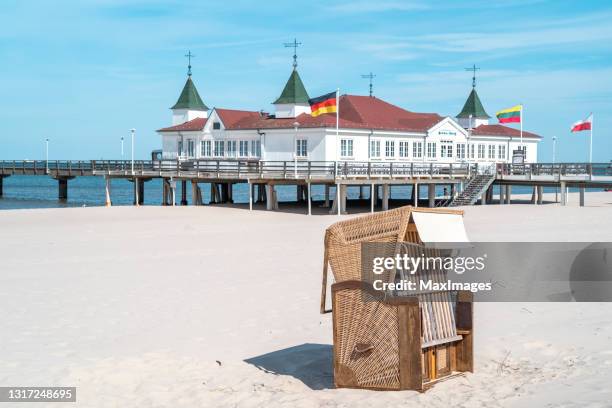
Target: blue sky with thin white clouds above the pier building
x,y
82,73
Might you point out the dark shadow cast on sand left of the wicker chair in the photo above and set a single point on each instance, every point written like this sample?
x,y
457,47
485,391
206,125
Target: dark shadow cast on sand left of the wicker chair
x,y
309,363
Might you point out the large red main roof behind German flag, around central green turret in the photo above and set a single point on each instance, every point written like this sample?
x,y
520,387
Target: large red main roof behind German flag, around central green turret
x,y
356,112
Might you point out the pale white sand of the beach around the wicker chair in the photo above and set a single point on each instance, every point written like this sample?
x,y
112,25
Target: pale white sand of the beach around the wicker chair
x,y
135,306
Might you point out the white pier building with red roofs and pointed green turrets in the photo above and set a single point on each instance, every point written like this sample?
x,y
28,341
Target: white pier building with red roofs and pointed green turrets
x,y
369,129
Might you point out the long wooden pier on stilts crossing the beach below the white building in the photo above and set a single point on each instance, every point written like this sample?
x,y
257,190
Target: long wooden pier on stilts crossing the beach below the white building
x,y
468,183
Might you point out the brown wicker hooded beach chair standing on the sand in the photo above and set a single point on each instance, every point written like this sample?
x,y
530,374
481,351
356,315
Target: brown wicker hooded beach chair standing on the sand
x,y
392,343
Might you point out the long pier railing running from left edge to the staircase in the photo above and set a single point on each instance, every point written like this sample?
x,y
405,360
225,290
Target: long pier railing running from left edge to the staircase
x,y
299,169
